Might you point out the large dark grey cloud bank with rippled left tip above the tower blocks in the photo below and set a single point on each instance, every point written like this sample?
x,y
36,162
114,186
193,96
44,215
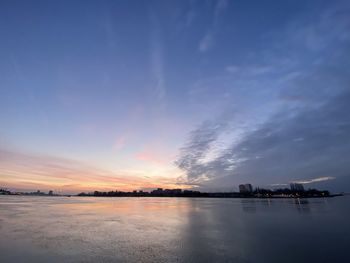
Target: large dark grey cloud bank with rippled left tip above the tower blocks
x,y
311,143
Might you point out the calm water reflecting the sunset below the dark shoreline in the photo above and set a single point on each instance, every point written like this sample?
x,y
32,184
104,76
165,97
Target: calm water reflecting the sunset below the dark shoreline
x,y
62,229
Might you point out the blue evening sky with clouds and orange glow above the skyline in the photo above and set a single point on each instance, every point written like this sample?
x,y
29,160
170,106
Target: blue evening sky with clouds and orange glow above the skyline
x,y
106,95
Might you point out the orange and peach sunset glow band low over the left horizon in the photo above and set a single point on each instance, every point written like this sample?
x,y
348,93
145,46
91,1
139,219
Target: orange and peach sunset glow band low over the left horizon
x,y
23,171
